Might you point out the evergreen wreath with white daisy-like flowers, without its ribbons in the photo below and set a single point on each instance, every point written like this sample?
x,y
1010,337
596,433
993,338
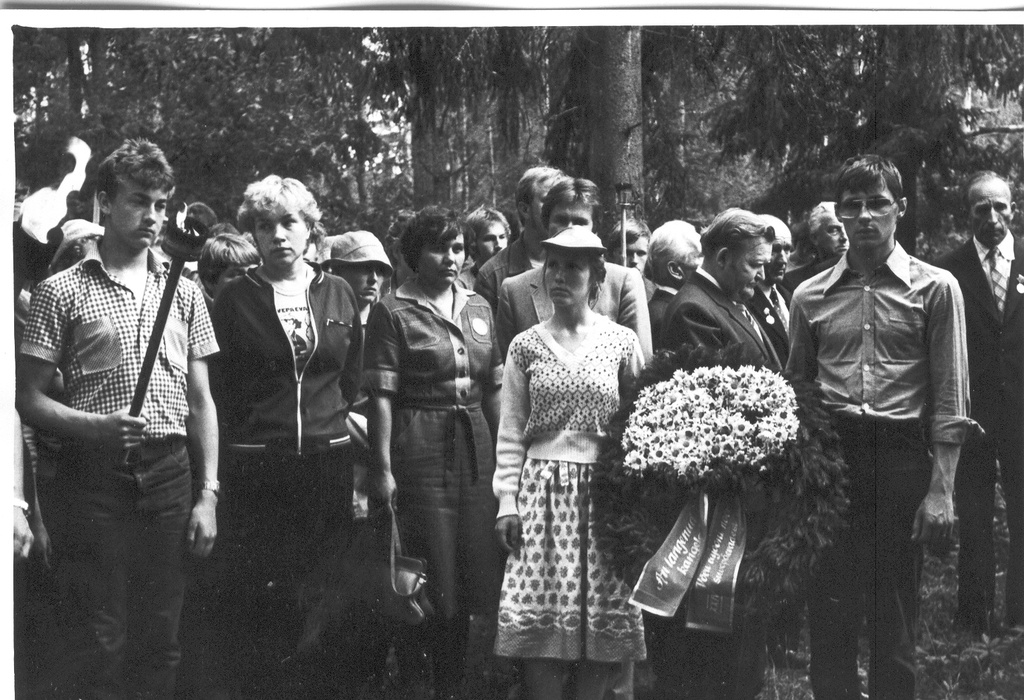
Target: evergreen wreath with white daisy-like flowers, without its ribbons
x,y
796,473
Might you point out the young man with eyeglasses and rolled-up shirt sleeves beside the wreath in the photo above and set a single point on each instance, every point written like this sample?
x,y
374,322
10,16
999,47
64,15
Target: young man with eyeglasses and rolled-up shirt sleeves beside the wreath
x,y
883,335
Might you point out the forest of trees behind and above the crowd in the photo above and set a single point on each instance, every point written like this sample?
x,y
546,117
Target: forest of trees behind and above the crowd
x,y
379,120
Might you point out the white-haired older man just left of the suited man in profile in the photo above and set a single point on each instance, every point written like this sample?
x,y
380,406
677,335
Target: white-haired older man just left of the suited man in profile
x,y
674,255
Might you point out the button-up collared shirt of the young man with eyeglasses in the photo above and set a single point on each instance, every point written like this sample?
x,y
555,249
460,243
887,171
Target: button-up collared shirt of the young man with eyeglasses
x,y
890,345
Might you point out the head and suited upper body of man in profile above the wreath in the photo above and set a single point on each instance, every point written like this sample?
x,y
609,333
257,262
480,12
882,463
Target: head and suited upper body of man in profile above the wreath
x,y
710,310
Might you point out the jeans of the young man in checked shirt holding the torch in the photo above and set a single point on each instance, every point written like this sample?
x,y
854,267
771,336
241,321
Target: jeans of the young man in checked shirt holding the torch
x,y
122,573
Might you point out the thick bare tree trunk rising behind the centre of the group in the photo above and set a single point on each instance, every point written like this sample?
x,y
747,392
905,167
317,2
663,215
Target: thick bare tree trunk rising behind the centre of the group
x,y
614,110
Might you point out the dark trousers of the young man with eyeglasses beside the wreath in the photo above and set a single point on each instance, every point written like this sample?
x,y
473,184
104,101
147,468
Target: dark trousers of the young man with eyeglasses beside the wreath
x,y
874,570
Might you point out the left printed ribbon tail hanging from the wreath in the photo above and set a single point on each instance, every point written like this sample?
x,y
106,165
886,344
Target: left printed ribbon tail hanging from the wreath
x,y
668,575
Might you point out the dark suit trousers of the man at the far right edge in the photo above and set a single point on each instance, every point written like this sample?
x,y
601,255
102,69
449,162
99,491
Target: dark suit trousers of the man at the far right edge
x,y
975,498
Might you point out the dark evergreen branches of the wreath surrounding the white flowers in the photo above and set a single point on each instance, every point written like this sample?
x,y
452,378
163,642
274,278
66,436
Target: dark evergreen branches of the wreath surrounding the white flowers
x,y
802,493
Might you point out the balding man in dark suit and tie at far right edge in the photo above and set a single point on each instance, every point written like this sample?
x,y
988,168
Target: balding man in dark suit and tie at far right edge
x,y
996,354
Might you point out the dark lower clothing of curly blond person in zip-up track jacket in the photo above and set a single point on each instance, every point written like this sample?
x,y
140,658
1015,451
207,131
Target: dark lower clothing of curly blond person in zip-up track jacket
x,y
282,514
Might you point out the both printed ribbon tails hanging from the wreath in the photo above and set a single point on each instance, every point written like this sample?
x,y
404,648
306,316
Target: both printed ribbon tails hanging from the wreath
x,y
697,556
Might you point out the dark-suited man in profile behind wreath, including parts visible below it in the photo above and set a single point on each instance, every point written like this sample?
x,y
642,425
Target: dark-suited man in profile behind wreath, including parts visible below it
x,y
709,311
